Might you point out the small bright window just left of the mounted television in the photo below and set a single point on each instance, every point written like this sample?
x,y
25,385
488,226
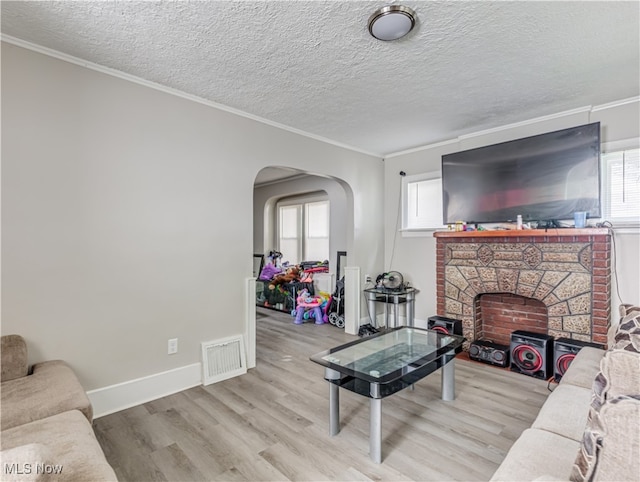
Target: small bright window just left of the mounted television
x,y
422,201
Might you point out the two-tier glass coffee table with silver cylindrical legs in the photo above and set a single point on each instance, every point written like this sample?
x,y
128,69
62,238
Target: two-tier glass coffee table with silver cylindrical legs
x,y
383,364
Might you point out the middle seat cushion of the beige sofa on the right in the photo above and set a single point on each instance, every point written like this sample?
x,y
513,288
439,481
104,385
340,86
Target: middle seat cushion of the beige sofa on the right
x,y
565,412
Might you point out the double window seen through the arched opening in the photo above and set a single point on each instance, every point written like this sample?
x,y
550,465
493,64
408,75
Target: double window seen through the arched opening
x,y
303,229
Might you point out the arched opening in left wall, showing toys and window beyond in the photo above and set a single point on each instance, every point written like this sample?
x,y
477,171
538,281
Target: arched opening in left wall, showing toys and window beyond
x,y
300,225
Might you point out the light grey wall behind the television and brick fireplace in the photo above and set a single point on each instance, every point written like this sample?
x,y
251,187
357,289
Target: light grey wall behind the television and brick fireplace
x,y
414,255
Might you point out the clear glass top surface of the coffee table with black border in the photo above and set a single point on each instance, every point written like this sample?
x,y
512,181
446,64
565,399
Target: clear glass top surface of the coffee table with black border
x,y
388,356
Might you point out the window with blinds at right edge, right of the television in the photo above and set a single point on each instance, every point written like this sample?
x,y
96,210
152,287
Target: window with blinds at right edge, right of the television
x,y
621,191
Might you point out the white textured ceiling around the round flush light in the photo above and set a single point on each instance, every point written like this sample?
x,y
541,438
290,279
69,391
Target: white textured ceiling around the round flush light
x,y
313,66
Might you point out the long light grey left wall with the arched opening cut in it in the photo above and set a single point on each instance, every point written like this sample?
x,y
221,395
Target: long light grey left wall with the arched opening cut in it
x,y
127,216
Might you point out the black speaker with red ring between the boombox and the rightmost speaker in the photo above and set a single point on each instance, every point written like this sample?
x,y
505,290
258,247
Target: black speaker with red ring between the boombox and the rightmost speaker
x,y
532,354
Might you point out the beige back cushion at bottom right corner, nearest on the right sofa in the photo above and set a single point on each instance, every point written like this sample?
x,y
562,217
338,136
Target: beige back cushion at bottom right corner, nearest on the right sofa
x,y
611,445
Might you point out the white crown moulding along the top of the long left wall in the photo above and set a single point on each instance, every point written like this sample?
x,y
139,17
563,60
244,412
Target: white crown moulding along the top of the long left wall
x,y
168,90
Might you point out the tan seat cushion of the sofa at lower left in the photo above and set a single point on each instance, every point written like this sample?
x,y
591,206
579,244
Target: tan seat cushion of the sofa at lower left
x,y
72,445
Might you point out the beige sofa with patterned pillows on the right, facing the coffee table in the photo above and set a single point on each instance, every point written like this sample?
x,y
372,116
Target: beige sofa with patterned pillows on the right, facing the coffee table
x,y
589,427
